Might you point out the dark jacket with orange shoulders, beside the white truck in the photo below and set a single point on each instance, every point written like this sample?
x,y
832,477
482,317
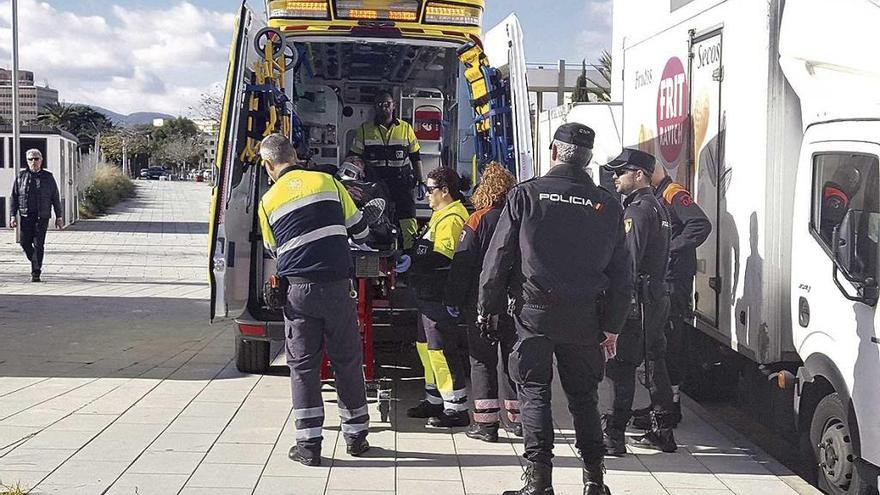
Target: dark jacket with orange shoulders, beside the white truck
x,y
690,228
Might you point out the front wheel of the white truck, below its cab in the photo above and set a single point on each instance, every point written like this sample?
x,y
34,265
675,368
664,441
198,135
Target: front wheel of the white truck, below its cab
x,y
833,449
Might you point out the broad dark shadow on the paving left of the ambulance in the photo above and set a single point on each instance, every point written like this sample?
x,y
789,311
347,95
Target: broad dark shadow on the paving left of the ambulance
x,y
119,337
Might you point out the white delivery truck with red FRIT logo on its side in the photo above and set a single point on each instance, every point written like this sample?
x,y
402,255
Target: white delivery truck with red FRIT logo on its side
x,y
768,111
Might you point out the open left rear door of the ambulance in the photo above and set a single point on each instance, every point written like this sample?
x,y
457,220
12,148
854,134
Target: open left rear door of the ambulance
x,y
232,218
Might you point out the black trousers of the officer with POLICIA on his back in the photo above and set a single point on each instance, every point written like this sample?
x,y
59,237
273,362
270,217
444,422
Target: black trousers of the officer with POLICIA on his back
x,y
580,371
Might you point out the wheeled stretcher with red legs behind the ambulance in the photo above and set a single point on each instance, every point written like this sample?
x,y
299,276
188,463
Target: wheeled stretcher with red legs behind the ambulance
x,y
374,277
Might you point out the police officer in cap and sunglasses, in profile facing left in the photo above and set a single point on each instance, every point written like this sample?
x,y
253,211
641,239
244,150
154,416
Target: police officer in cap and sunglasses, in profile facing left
x,y
647,237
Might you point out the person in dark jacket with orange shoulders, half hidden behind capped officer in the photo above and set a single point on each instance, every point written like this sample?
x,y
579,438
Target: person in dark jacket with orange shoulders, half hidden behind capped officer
x,y
690,228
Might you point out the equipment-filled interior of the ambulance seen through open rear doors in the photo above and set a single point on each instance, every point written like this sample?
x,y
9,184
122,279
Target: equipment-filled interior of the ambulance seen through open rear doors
x,y
334,89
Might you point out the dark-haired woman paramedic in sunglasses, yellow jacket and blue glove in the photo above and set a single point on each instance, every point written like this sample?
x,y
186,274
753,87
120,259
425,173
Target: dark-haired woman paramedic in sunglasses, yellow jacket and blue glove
x,y
445,402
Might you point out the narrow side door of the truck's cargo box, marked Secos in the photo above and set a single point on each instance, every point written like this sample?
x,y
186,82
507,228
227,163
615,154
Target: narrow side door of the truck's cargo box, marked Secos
x,y
716,275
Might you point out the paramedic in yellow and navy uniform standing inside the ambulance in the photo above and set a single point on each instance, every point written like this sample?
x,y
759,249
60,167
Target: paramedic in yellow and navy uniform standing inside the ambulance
x,y
390,150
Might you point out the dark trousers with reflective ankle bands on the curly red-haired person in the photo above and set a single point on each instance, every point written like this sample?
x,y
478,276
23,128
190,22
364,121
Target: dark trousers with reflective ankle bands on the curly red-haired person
x,y
485,379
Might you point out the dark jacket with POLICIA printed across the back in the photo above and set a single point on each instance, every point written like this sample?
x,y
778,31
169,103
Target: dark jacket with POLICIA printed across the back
x,y
559,249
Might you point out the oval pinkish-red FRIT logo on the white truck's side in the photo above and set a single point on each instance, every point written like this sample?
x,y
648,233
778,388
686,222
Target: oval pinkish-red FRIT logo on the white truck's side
x,y
672,111
